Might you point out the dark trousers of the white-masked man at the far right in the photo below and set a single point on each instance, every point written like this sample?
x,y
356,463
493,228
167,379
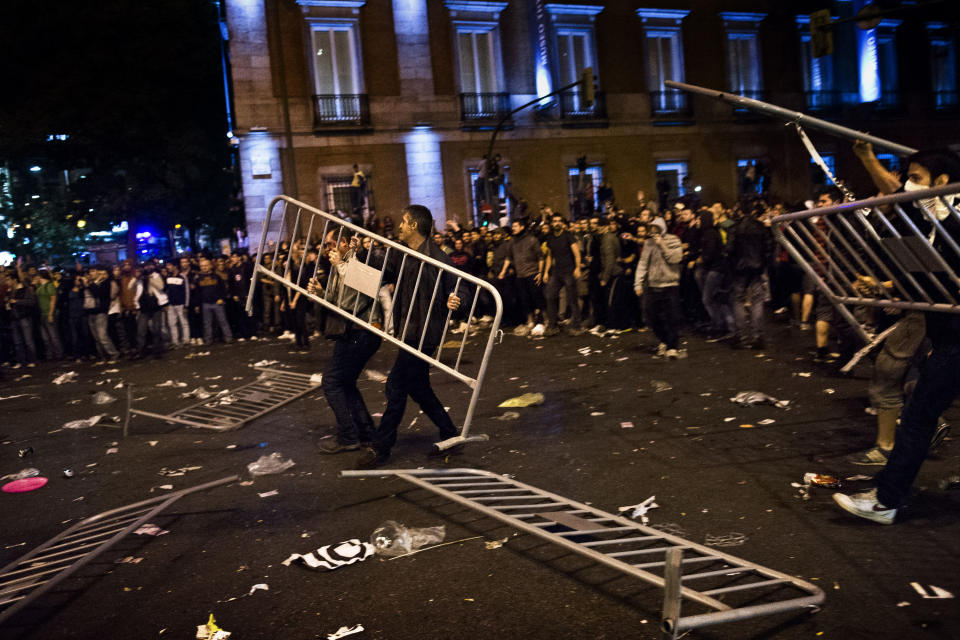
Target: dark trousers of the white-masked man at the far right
x,y
938,386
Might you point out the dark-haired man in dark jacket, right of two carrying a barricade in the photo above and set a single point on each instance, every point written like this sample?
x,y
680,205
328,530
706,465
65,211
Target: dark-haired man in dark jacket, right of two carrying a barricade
x,y
419,316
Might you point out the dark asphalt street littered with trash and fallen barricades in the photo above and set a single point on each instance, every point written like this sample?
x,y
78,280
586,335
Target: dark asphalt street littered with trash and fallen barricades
x,y
715,470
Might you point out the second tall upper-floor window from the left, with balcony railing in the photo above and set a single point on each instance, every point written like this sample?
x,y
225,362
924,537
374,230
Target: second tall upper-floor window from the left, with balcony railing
x,y
479,63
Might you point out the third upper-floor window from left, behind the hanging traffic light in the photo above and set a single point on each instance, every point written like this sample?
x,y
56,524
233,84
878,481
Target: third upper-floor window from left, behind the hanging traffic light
x,y
574,51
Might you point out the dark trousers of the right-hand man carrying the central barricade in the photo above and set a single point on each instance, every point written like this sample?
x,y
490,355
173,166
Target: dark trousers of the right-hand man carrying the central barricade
x,y
410,376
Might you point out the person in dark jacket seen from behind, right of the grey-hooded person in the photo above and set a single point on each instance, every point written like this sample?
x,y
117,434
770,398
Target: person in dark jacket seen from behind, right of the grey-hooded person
x,y
749,248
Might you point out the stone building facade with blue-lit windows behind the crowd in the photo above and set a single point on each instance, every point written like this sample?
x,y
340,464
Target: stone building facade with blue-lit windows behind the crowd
x,y
409,90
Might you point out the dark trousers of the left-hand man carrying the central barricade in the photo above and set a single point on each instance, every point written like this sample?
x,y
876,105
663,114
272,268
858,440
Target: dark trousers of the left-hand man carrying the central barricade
x,y
351,352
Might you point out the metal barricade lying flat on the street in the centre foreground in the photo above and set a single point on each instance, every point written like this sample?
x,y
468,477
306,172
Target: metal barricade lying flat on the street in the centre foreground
x,y
722,587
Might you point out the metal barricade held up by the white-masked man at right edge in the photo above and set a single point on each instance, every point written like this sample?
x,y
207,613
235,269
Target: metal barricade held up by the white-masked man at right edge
x,y
889,252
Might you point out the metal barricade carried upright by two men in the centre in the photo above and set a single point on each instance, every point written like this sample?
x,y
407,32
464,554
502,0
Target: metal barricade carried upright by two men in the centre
x,y
300,224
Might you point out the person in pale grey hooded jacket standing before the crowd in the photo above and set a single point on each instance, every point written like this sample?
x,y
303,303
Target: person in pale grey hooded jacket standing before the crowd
x,y
658,280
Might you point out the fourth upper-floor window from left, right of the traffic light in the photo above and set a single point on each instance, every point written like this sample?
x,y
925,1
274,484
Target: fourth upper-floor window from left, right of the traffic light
x,y
663,47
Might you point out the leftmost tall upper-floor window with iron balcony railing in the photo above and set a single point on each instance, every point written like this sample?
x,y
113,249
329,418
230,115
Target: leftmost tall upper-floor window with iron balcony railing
x,y
336,62
